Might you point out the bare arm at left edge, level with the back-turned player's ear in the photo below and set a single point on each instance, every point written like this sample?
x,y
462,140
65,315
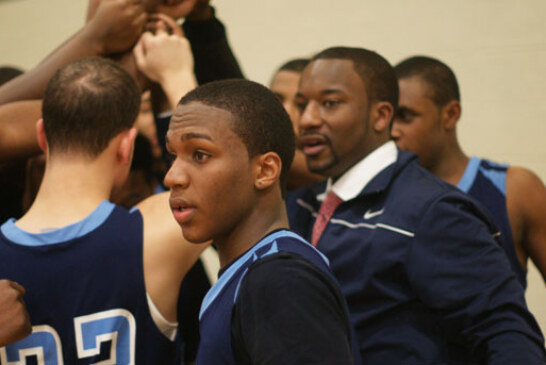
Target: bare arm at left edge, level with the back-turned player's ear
x,y
17,129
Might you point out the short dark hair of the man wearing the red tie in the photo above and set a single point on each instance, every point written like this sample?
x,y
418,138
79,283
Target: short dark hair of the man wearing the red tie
x,y
377,74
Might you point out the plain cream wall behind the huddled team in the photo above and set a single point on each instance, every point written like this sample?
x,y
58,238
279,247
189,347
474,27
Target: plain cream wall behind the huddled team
x,y
497,49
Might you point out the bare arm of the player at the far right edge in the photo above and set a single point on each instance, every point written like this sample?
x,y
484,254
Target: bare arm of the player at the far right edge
x,y
526,202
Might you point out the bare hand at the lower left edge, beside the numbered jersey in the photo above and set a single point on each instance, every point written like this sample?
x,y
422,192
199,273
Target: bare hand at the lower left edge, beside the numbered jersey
x,y
14,319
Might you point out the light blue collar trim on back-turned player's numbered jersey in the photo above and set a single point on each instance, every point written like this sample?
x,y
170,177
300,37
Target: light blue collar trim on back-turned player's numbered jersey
x,y
72,231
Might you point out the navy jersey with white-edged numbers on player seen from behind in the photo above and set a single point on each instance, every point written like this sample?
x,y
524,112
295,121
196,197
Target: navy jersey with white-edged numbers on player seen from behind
x,y
85,292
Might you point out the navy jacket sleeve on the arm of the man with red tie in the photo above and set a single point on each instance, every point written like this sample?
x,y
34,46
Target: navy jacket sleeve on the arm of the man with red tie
x,y
457,269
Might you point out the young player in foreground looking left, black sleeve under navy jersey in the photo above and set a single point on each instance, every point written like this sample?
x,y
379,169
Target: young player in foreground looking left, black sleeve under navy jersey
x,y
276,301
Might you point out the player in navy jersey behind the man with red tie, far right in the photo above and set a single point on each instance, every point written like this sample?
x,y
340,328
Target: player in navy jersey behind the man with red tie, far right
x,y
426,125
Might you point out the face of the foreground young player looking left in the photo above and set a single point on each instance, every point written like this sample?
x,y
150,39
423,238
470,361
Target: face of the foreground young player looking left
x,y
210,178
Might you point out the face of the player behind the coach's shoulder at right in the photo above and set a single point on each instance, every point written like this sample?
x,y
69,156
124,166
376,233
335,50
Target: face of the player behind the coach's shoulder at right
x,y
417,124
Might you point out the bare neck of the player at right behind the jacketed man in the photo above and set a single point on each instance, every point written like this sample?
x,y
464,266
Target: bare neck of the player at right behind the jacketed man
x,y
452,163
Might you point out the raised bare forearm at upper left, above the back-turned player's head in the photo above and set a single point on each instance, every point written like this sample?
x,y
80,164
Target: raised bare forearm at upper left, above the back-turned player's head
x,y
31,85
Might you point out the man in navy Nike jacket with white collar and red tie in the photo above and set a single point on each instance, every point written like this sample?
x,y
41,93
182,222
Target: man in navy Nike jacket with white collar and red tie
x,y
424,279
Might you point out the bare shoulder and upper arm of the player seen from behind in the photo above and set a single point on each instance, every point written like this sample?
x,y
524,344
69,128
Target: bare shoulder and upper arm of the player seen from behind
x,y
167,255
